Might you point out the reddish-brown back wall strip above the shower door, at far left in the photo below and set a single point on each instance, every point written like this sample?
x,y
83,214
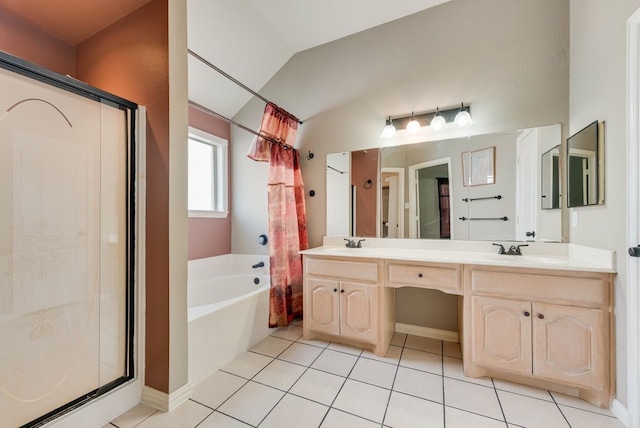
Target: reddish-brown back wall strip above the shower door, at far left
x,y
25,41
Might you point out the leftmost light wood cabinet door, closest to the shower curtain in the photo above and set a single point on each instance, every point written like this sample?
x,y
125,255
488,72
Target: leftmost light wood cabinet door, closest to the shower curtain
x,y
322,305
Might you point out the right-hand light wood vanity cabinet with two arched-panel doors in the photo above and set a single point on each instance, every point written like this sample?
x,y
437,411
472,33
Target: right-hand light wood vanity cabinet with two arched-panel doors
x,y
541,326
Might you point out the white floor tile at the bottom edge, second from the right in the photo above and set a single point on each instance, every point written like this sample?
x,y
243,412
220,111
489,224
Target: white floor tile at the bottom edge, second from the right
x,y
531,412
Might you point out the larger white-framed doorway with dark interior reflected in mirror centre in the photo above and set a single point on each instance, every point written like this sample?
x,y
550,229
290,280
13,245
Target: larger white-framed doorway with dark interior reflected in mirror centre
x,y
430,200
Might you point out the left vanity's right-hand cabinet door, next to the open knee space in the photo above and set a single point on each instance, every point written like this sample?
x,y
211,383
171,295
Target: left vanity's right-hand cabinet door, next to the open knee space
x,y
358,303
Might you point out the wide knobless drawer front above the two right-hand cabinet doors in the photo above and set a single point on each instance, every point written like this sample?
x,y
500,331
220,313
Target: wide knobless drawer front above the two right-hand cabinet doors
x,y
590,292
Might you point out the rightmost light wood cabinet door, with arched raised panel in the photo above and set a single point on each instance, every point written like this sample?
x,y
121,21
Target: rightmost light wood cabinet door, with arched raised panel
x,y
569,344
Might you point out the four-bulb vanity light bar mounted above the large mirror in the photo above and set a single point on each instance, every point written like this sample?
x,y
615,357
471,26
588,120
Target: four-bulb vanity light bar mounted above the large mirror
x,y
437,120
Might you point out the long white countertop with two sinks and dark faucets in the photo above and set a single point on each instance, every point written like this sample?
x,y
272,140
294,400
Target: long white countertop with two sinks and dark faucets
x,y
556,256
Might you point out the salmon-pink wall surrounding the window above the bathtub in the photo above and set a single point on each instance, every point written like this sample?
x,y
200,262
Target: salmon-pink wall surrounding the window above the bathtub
x,y
210,237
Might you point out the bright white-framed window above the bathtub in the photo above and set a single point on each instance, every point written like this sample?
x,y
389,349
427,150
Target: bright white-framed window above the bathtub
x,y
208,184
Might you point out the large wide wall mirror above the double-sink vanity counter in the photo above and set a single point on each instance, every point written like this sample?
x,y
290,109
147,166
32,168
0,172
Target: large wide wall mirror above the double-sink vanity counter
x,y
484,187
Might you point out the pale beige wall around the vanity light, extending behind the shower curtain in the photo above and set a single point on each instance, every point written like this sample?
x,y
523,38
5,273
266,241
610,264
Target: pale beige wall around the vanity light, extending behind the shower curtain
x,y
507,58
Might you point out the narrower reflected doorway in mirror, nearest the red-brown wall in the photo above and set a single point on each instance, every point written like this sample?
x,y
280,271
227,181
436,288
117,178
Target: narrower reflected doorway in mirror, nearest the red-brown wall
x,y
392,203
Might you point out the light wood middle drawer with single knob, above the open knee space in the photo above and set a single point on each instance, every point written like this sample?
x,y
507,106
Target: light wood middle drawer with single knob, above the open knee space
x,y
442,278
